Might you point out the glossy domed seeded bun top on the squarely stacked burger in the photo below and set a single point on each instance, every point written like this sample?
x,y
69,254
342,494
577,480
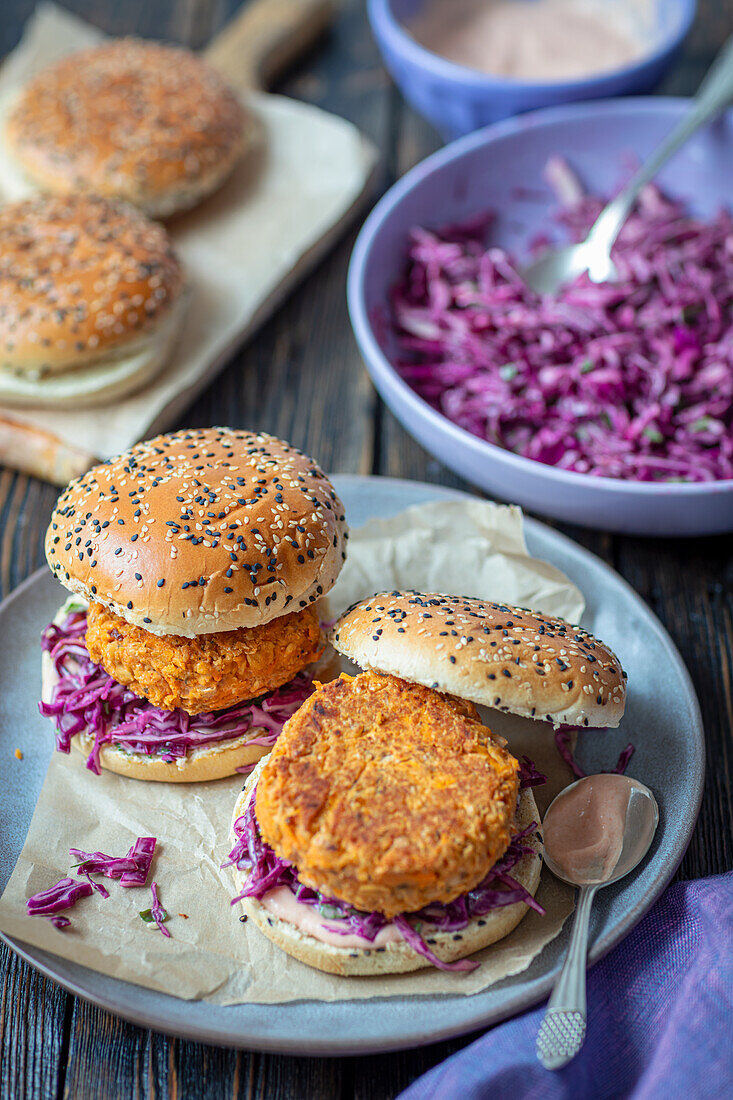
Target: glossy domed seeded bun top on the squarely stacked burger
x,y
200,532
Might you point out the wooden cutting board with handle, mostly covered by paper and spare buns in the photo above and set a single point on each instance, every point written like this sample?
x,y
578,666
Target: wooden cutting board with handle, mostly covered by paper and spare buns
x,y
250,52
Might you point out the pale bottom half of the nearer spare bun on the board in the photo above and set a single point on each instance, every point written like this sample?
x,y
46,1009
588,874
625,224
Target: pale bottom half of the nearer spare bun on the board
x,y
100,383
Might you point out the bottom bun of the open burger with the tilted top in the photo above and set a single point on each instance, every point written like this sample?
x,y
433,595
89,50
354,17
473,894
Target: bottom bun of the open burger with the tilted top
x,y
398,958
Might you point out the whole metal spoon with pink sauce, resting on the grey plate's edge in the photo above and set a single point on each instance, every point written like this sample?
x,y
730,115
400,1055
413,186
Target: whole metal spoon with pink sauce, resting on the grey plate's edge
x,y
596,832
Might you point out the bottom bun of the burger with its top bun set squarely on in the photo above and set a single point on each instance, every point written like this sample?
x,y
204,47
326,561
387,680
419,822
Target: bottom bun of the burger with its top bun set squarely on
x,y
200,765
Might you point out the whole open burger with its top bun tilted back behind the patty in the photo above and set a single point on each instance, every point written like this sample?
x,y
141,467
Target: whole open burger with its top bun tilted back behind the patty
x,y
389,830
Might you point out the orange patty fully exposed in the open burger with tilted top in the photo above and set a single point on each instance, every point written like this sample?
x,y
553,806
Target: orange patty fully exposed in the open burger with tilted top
x,y
387,795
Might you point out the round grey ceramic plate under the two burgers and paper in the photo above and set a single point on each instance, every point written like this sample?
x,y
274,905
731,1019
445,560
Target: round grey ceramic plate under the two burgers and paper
x,y
663,720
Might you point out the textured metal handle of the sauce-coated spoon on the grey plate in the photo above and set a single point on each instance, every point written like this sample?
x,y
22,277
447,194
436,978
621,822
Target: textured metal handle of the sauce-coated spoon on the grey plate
x,y
563,1031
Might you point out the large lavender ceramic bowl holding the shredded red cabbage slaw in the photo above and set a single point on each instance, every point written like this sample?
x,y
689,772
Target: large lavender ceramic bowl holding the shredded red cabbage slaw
x,y
501,169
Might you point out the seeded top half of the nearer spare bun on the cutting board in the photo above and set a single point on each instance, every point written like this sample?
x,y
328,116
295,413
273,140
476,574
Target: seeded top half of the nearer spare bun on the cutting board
x,y
81,280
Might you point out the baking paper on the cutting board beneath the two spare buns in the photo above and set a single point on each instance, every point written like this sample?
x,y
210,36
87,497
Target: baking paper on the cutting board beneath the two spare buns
x,y
245,247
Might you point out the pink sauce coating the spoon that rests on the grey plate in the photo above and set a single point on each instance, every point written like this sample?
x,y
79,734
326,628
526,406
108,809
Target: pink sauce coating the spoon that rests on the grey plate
x,y
584,830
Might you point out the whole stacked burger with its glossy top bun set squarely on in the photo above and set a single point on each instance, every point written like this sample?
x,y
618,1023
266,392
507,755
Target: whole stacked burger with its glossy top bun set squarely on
x,y
199,564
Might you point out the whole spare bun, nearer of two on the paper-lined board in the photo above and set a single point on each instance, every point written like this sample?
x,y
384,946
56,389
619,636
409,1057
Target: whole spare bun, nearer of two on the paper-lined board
x,y
92,295
